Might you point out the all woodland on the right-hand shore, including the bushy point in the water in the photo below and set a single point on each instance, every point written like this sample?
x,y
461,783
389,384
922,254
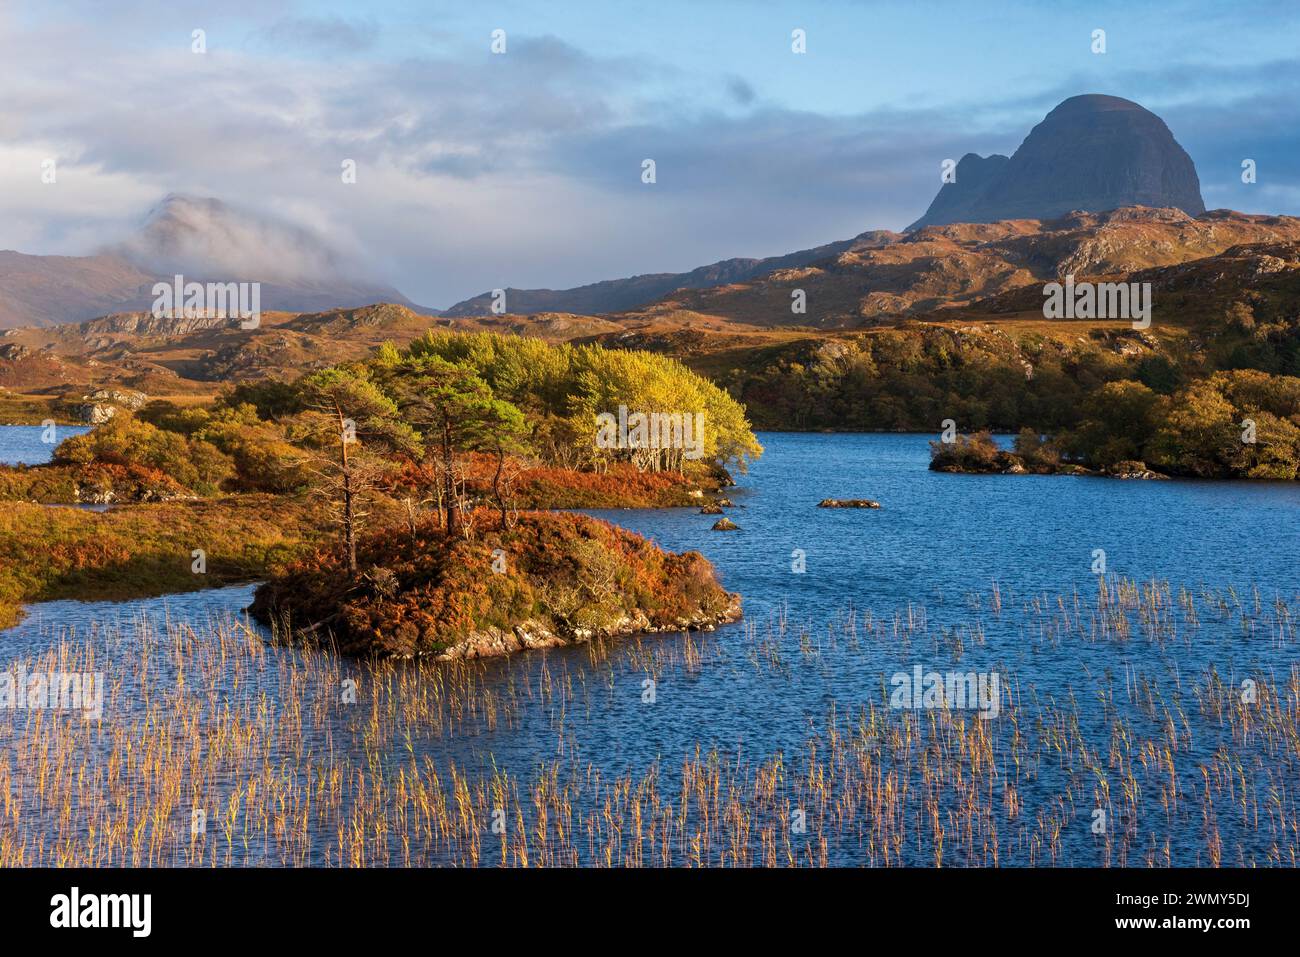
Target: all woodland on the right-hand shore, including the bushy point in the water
x,y
1221,402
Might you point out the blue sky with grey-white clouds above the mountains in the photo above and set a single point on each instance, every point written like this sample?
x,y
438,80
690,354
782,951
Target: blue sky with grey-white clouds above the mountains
x,y
479,170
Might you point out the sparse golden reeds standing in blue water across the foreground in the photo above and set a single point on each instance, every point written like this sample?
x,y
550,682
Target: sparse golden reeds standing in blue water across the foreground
x,y
769,744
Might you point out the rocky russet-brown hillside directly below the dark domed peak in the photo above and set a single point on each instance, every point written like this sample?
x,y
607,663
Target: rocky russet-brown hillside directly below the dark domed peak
x,y
941,269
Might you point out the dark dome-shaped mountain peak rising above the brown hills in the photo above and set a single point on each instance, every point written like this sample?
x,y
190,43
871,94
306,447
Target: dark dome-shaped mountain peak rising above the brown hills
x,y
1091,154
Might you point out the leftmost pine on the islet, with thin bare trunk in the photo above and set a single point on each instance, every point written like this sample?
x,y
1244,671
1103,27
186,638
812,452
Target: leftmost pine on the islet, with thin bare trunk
x,y
358,421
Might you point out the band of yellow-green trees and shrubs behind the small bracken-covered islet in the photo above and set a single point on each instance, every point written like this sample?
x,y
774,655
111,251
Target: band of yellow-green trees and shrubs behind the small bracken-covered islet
x,y
449,425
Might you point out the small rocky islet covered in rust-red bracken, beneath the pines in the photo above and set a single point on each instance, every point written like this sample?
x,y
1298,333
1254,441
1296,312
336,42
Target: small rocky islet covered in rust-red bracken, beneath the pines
x,y
541,582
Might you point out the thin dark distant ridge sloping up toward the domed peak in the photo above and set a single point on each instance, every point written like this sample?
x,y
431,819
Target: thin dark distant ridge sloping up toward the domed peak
x,y
618,296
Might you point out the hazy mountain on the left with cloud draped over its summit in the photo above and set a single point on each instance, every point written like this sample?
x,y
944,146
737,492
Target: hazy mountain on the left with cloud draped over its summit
x,y
203,240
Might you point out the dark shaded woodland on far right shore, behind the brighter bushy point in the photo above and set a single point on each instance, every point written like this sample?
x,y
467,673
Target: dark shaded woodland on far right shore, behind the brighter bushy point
x,y
915,378
